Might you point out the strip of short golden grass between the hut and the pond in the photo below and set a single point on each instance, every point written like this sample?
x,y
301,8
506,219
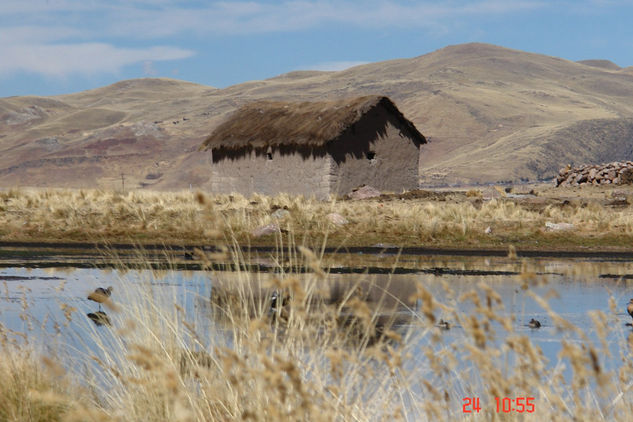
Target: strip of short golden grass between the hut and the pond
x,y
601,218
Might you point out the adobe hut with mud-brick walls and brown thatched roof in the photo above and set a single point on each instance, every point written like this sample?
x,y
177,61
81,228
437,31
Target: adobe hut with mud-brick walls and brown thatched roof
x,y
315,148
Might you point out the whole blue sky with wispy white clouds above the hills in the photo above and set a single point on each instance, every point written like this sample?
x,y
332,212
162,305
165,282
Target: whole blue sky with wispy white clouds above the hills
x,y
50,47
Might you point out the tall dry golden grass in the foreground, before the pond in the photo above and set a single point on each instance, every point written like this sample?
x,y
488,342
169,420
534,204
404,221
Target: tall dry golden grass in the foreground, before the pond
x,y
310,363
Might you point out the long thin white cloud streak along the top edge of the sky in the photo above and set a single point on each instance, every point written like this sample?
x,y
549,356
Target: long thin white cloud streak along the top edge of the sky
x,y
143,19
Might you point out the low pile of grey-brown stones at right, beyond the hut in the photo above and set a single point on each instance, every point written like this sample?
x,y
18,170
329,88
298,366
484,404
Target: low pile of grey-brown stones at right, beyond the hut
x,y
616,173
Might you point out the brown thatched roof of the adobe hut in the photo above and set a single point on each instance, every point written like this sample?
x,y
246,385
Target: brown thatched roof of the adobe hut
x,y
271,123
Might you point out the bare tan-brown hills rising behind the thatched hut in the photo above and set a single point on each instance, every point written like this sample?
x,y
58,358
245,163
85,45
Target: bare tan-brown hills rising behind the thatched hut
x,y
490,113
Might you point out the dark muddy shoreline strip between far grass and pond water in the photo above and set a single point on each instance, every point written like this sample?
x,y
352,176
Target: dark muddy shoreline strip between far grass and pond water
x,y
368,260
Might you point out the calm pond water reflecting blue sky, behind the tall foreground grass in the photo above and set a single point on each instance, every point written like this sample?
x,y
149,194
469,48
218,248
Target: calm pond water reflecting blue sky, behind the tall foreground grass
x,y
41,303
